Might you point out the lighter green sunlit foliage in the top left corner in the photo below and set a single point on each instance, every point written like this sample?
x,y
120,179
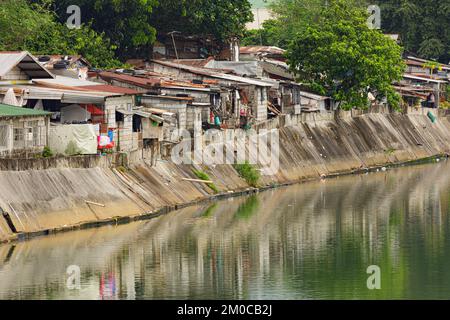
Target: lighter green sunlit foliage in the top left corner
x,y
34,27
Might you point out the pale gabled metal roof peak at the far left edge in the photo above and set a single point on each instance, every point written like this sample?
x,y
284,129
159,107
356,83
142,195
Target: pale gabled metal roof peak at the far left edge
x,y
25,61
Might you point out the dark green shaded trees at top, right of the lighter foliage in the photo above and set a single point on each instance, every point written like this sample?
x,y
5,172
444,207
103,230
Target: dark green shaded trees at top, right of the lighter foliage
x,y
132,25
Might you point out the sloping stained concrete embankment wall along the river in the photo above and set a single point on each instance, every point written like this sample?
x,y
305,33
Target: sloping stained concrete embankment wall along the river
x,y
59,198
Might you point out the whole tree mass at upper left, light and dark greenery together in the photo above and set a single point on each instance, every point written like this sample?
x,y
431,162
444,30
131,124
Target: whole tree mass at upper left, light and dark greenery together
x,y
114,28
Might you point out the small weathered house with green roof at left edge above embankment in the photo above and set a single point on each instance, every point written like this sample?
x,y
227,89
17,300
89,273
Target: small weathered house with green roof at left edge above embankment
x,y
22,130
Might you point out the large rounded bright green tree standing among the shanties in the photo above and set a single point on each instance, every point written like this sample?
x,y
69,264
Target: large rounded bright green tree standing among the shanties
x,y
340,56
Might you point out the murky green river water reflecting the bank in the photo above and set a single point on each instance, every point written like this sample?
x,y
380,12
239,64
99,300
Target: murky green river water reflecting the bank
x,y
309,241
